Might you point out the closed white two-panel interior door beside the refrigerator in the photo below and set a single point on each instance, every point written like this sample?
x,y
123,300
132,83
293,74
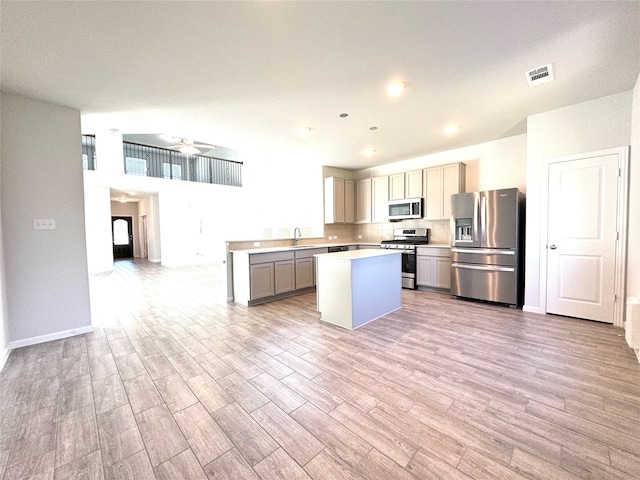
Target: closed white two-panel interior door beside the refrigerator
x,y
582,235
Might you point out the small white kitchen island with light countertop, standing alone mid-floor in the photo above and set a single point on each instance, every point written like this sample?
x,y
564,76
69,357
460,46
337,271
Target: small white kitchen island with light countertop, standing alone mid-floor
x,y
356,287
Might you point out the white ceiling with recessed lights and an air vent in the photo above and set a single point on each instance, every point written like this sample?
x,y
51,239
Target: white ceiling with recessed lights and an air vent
x,y
248,75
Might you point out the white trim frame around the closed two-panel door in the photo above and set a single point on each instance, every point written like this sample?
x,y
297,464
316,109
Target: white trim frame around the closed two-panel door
x,y
622,220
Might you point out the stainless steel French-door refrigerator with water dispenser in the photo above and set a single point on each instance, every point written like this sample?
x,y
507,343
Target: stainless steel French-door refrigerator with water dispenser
x,y
487,251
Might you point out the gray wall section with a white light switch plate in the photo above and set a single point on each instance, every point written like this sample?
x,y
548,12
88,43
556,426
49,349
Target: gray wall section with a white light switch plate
x,y
47,281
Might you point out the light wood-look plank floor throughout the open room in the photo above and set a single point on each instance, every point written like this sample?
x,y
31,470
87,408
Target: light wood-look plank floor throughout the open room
x,y
176,383
